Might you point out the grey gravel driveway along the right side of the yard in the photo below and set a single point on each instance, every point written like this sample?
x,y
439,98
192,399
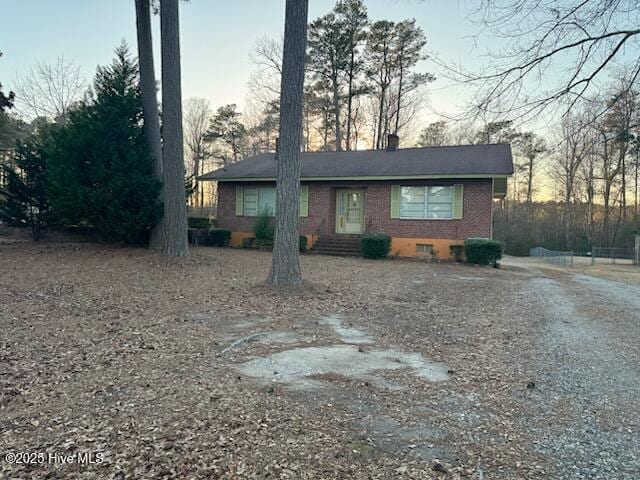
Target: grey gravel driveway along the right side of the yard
x,y
586,362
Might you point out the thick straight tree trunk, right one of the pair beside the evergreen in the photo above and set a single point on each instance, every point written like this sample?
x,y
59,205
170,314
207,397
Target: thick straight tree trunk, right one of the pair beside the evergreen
x,y
175,243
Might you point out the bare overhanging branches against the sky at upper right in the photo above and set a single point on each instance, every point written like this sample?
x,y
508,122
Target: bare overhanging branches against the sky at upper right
x,y
581,41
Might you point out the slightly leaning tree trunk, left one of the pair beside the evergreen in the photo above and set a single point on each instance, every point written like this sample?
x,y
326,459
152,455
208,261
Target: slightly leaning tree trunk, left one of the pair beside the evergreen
x,y
151,126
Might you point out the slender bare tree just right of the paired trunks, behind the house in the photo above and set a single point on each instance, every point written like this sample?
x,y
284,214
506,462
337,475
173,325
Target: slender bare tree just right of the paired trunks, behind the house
x,y
197,114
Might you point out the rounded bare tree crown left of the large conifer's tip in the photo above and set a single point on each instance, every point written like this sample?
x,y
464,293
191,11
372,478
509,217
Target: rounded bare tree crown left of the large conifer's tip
x,y
49,90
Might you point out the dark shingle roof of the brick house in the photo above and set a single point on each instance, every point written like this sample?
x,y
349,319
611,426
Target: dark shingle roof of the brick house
x,y
450,161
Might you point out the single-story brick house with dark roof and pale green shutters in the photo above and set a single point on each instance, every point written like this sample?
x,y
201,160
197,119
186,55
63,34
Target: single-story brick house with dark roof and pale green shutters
x,y
426,199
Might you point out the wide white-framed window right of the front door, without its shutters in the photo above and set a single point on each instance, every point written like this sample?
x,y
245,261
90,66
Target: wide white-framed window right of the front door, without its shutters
x,y
426,202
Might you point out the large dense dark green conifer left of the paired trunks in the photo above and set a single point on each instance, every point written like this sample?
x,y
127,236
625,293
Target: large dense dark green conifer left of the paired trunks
x,y
101,171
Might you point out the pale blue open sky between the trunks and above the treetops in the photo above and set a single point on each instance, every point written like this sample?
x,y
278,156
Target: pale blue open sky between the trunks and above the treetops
x,y
217,37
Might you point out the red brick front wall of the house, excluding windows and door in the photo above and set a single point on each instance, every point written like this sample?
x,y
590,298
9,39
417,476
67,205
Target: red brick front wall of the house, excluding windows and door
x,y
476,221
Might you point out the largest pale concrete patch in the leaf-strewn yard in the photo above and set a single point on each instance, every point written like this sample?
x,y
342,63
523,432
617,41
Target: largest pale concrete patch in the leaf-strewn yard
x,y
294,366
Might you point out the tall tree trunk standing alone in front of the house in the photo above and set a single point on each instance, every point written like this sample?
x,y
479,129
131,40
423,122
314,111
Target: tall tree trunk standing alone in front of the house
x,y
285,265
